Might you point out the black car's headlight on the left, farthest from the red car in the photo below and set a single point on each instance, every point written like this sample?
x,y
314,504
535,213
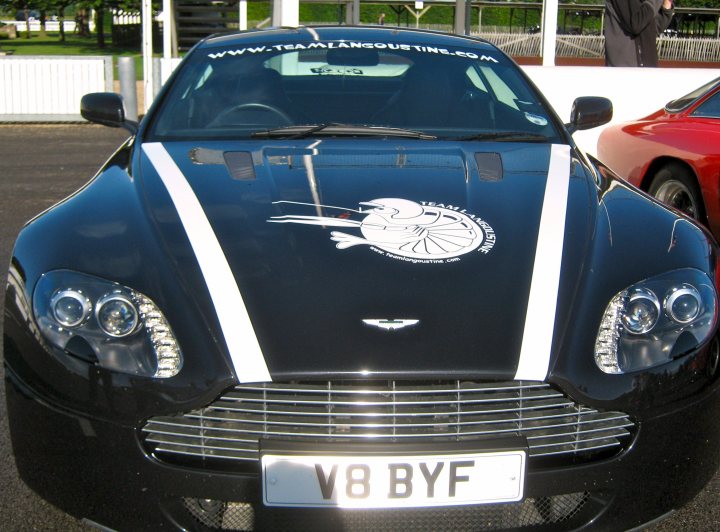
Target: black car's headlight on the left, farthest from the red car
x,y
105,323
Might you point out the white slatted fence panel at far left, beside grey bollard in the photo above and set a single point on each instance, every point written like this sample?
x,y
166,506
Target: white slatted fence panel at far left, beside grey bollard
x,y
49,88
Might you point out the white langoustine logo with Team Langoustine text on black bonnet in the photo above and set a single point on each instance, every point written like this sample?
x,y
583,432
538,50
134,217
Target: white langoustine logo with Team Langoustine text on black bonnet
x,y
425,232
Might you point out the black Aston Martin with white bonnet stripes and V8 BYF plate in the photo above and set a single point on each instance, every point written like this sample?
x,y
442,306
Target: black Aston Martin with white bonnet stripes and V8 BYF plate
x,y
360,278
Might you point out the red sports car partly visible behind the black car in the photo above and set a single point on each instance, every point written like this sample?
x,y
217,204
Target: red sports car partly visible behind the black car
x,y
674,154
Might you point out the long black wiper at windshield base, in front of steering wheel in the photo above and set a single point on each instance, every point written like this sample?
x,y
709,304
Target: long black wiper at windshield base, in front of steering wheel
x,y
339,130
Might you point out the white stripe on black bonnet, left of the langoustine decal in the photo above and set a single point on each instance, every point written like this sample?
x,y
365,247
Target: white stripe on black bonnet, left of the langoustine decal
x,y
242,343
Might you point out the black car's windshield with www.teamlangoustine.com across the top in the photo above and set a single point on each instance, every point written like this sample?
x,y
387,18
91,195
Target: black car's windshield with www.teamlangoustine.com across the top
x,y
438,92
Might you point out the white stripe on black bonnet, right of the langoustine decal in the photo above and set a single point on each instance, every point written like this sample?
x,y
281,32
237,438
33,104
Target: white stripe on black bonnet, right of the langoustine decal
x,y
540,318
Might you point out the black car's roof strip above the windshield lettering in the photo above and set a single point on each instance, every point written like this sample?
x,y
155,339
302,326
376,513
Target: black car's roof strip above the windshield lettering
x,y
339,33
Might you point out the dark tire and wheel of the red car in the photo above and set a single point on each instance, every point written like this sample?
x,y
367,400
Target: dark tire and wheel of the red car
x,y
676,186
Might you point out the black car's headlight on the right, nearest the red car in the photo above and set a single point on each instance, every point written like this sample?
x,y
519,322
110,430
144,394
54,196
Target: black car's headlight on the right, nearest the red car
x,y
655,321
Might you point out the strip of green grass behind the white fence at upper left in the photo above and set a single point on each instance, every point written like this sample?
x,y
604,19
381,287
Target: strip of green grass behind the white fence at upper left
x,y
74,45
